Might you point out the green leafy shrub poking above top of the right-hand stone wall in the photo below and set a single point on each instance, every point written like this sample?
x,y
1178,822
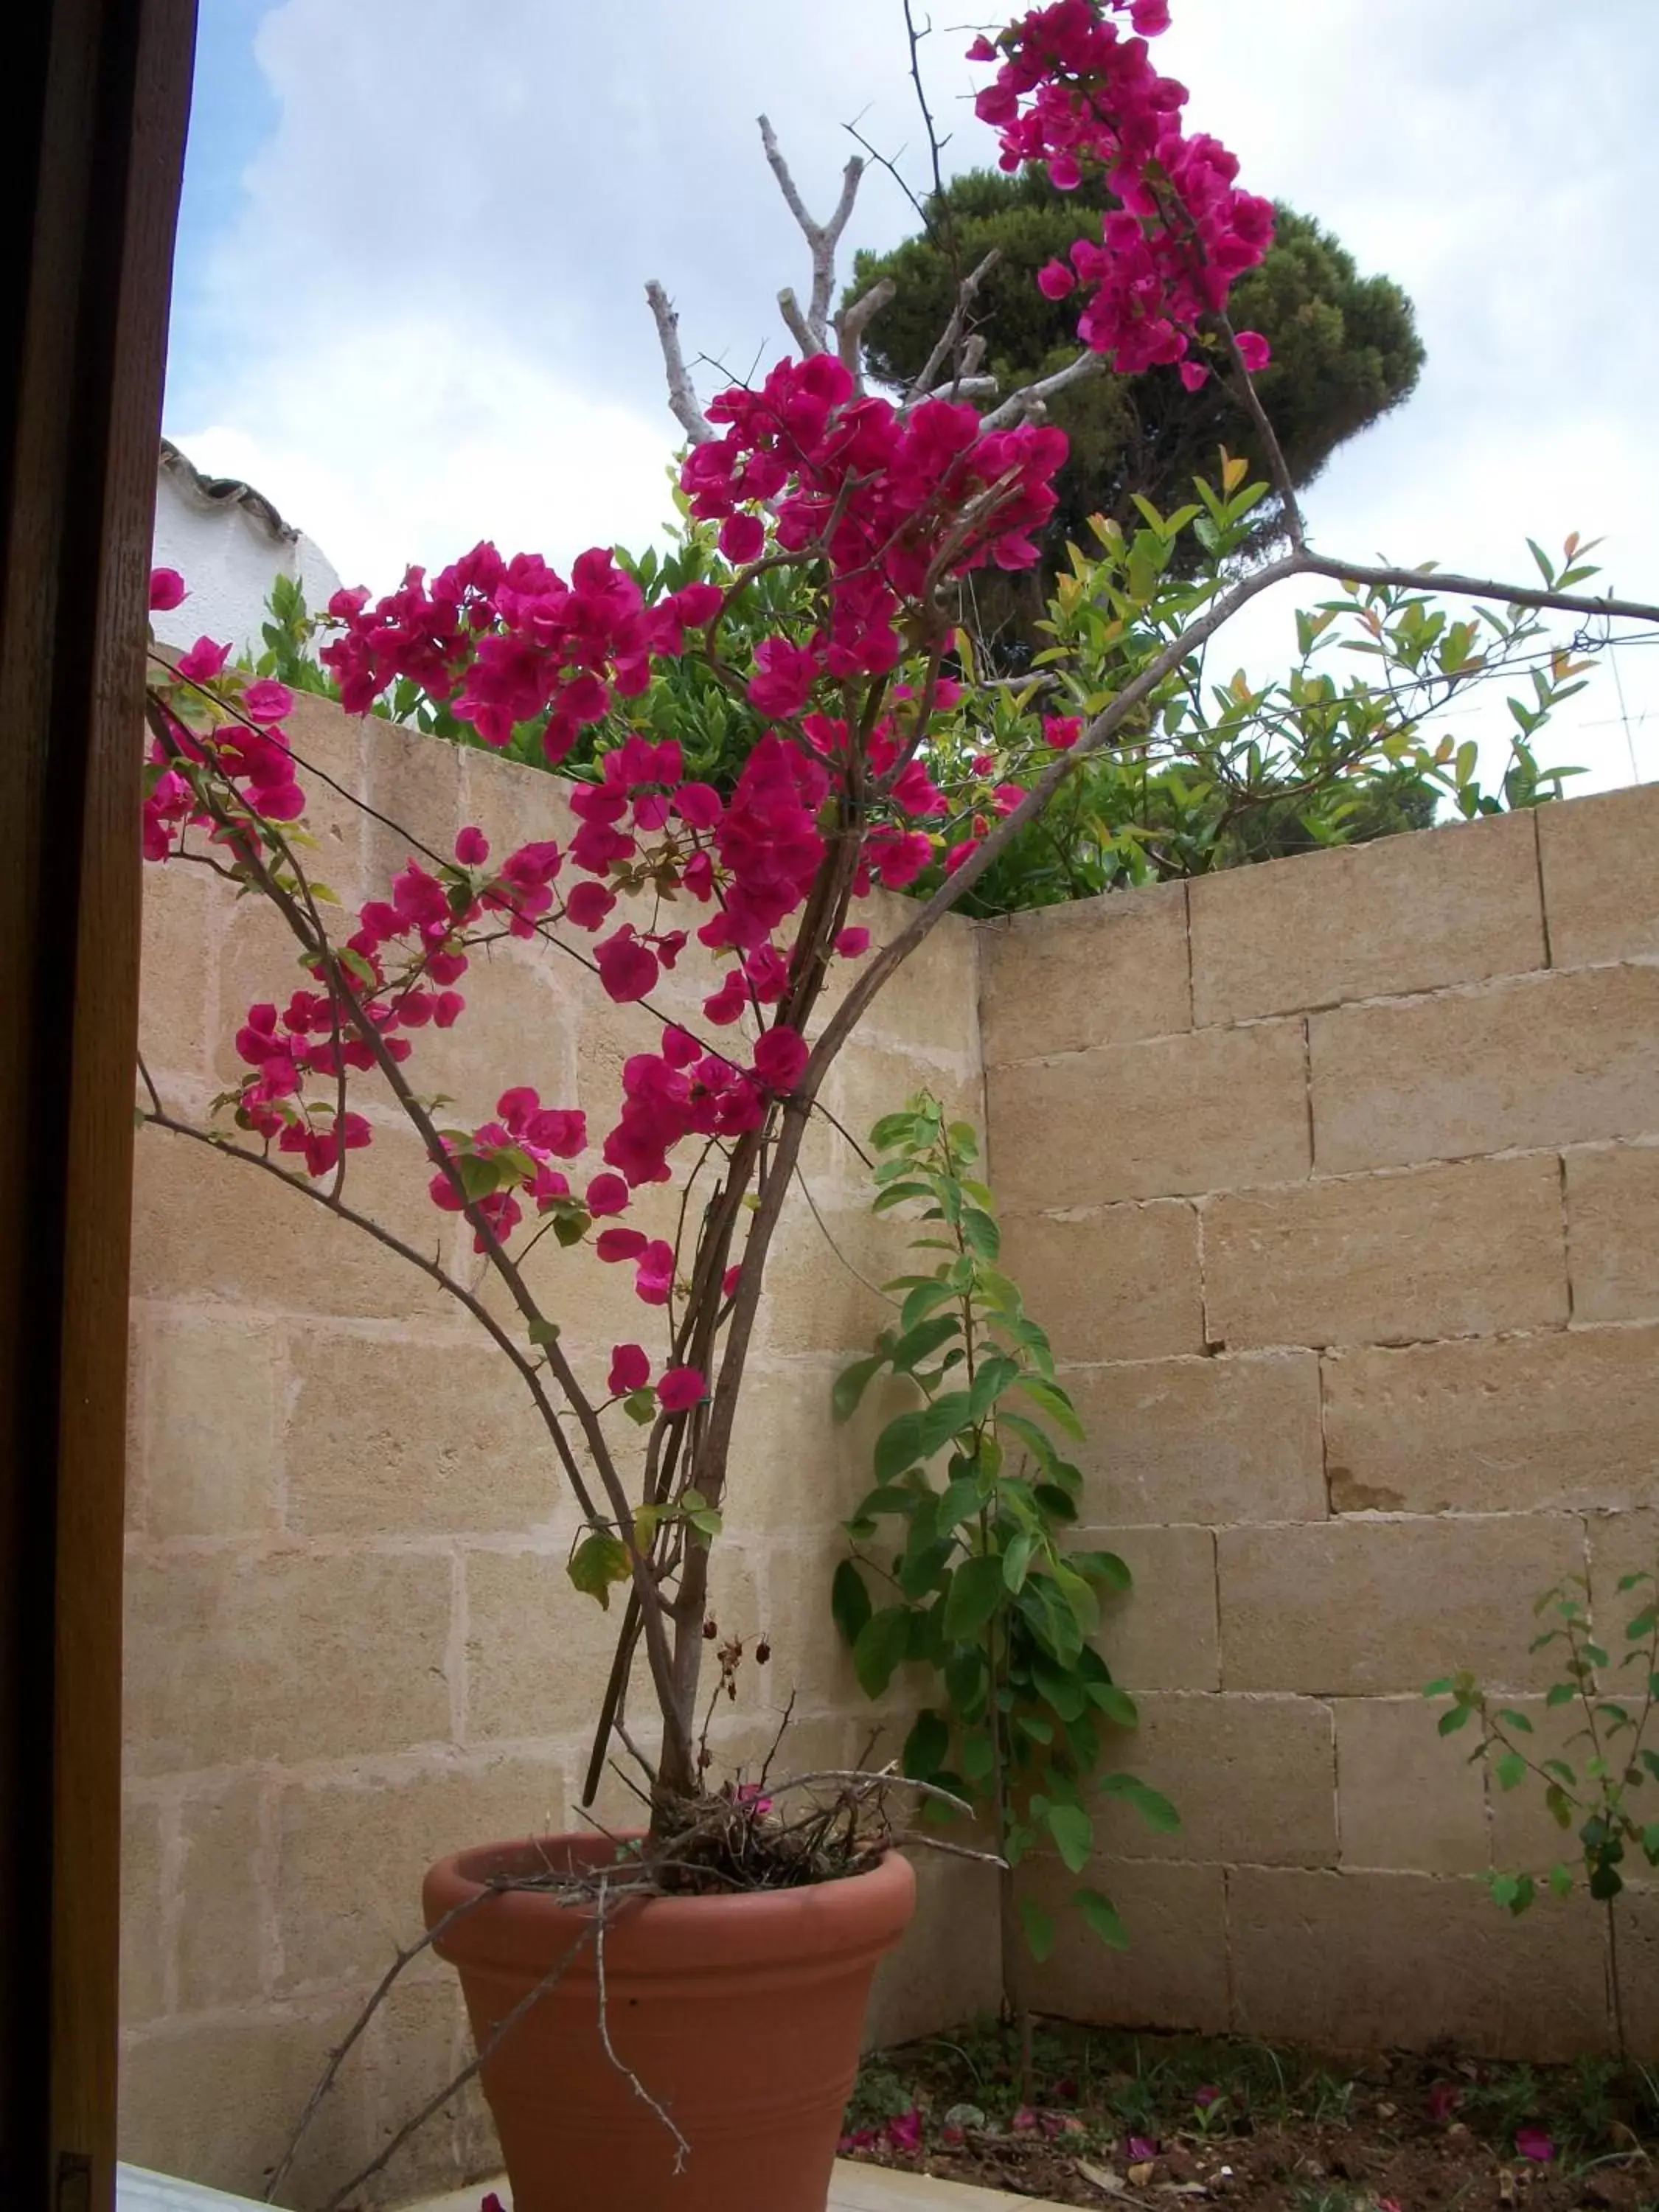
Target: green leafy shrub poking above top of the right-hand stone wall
x,y
1348,744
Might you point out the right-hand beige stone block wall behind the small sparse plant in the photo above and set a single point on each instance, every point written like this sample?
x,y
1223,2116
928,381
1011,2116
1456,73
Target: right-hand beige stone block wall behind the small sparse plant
x,y
1339,1187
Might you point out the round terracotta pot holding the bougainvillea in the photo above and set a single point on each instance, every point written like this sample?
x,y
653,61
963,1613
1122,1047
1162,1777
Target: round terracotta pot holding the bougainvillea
x,y
740,2016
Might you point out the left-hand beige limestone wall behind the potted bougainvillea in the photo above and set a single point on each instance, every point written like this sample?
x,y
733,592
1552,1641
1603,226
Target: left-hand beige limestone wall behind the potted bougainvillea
x,y
351,1636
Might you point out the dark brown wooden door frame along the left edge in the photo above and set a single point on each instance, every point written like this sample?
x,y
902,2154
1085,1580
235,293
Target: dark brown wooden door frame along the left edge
x,y
96,109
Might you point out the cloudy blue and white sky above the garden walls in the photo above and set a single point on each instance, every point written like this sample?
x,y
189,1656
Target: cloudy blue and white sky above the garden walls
x,y
415,242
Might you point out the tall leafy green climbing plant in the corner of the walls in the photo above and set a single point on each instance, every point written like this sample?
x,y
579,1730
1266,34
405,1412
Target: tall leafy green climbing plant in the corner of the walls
x,y
963,1554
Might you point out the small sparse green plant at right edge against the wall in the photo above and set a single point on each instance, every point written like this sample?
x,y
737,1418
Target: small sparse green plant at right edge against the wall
x,y
1592,1795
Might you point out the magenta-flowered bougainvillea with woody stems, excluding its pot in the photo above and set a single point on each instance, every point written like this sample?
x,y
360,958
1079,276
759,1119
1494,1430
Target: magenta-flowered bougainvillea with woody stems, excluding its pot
x,y
875,510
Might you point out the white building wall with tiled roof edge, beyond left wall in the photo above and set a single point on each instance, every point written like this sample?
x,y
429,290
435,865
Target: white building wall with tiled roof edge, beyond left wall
x,y
229,556
